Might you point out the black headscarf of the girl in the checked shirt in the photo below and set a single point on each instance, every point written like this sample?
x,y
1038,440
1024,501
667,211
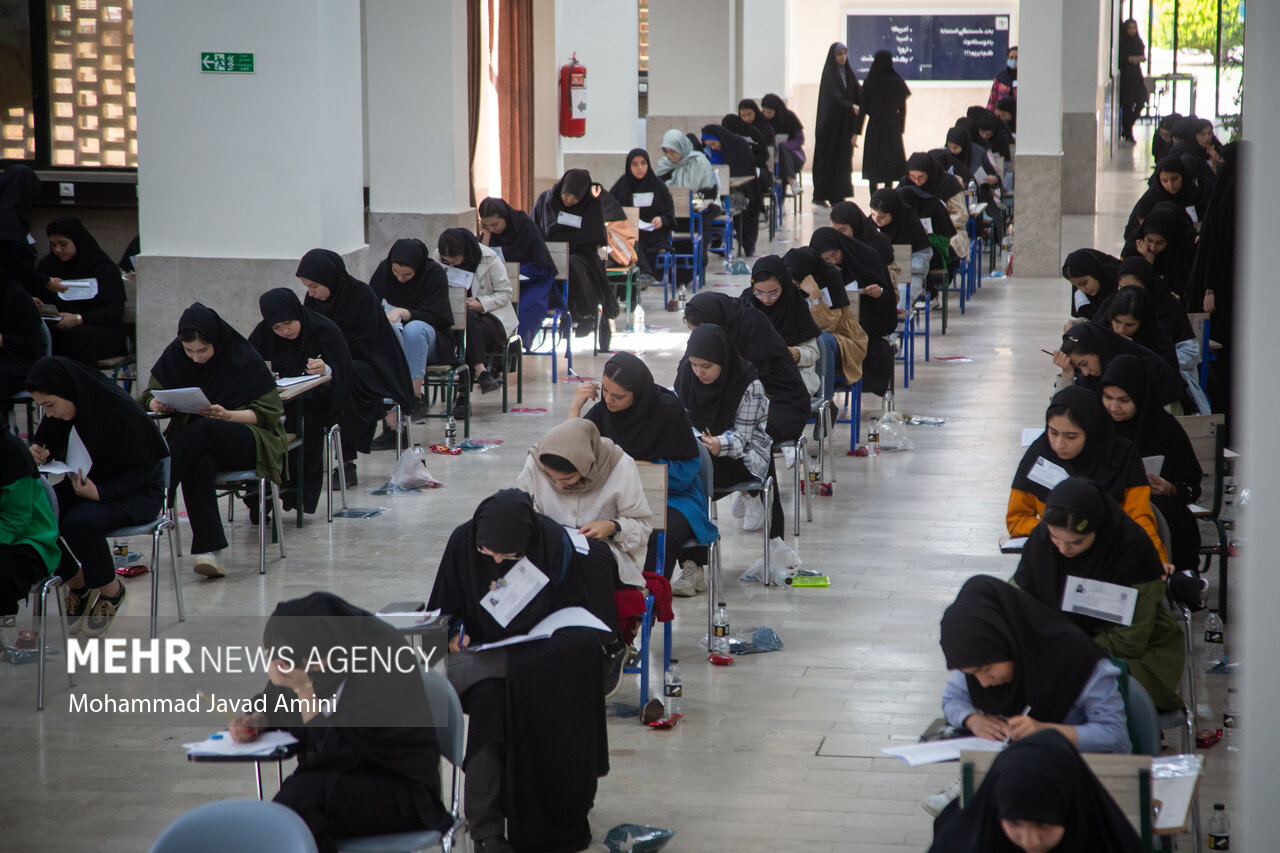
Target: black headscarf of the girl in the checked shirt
x,y
714,407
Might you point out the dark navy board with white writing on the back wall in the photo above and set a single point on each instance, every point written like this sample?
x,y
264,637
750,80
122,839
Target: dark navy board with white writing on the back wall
x,y
957,47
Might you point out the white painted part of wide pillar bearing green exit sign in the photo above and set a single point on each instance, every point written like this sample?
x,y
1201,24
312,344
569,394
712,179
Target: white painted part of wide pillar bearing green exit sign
x,y
250,166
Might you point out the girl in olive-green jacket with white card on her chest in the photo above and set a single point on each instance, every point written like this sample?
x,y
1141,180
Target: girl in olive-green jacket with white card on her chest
x,y
1086,535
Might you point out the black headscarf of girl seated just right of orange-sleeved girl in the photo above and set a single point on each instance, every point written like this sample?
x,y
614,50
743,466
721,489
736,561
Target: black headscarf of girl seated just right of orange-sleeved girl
x,y
1153,430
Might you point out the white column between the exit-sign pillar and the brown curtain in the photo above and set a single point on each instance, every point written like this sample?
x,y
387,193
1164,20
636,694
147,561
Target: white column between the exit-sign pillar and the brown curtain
x,y
419,171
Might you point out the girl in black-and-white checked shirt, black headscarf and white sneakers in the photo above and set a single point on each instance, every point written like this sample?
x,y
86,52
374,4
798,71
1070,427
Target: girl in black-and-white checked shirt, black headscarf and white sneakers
x,y
726,404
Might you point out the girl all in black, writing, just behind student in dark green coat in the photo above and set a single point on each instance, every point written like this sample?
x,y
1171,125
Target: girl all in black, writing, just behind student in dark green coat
x,y
296,343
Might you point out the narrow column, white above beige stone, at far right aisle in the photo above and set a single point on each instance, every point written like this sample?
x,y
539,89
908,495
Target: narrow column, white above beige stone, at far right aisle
x,y
1039,189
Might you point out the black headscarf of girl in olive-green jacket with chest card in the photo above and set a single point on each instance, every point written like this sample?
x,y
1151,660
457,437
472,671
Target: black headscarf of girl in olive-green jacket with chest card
x,y
1122,554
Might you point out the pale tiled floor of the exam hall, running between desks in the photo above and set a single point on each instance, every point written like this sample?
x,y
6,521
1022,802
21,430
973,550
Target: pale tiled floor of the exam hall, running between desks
x,y
779,752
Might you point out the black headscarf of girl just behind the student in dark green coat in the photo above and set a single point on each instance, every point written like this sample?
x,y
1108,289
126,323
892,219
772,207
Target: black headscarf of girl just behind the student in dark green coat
x,y
318,336
